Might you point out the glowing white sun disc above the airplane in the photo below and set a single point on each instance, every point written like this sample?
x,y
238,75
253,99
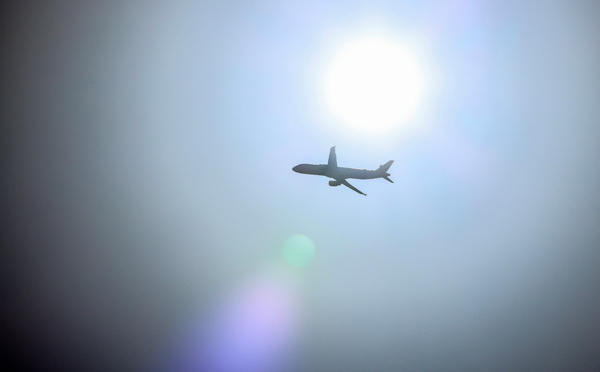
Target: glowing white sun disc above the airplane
x,y
374,84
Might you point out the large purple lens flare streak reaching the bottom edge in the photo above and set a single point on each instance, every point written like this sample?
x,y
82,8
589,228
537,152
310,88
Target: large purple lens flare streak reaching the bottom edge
x,y
254,331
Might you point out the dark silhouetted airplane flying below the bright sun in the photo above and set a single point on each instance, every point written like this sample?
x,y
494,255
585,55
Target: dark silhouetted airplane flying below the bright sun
x,y
340,174
